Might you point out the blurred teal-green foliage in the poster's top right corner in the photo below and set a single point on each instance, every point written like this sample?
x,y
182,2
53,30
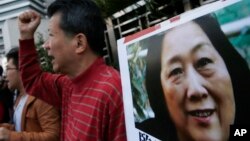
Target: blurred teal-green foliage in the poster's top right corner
x,y
234,13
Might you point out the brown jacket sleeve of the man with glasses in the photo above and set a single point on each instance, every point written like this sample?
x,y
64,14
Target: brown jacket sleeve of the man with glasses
x,y
49,121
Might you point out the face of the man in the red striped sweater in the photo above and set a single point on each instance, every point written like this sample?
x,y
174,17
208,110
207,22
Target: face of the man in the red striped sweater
x,y
59,46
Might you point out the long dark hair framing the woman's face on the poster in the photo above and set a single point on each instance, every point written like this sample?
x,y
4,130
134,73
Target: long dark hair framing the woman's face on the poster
x,y
236,66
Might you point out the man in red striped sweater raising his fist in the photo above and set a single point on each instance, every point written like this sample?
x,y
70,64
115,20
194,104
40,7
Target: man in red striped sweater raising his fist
x,y
87,91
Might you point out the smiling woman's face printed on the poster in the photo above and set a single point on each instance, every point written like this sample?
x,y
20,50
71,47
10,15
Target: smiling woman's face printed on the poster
x,y
196,85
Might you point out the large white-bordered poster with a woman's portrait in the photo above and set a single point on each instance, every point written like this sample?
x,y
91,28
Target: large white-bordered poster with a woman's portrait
x,y
188,78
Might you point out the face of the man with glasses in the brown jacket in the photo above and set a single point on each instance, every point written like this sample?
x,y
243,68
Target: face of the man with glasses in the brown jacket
x,y
12,75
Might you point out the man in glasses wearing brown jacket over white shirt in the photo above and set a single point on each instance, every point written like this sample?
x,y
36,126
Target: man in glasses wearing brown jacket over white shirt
x,y
33,118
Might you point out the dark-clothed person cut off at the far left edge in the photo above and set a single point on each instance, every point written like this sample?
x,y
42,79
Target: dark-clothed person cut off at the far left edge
x,y
6,100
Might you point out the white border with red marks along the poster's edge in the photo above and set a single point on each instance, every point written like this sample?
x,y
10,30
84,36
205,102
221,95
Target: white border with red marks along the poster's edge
x,y
132,132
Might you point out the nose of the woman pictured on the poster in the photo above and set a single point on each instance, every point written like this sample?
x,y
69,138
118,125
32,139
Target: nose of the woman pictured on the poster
x,y
196,89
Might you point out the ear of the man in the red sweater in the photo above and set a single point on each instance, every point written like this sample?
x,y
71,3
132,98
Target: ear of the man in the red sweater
x,y
81,41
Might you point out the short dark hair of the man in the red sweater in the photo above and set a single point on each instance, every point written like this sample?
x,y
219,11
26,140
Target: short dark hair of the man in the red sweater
x,y
81,16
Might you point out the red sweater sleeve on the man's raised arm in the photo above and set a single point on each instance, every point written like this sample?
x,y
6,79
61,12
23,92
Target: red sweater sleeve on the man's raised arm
x,y
43,85
